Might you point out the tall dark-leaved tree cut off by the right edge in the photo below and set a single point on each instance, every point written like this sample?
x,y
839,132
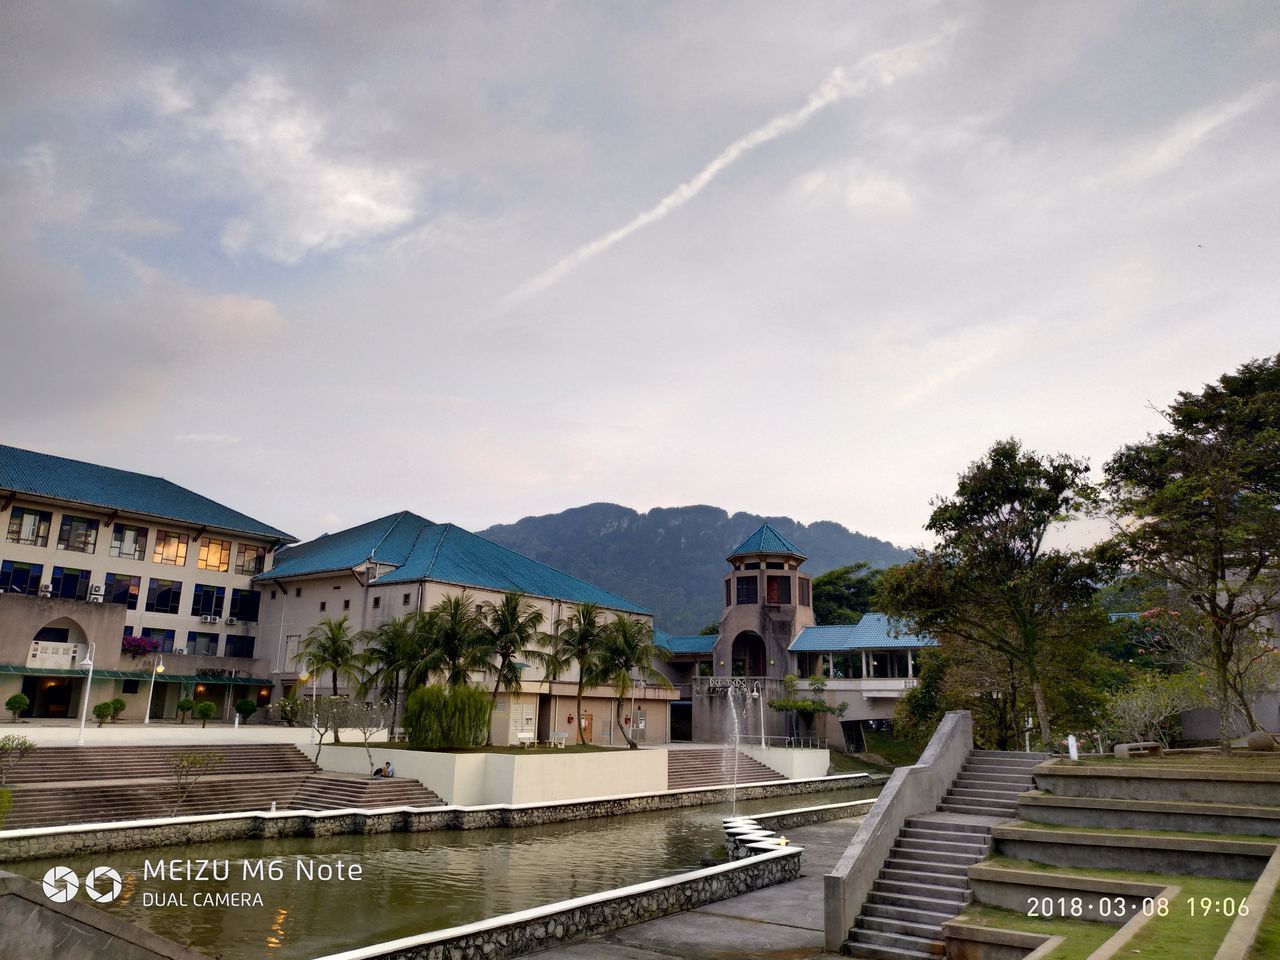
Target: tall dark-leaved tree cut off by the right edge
x,y
1199,508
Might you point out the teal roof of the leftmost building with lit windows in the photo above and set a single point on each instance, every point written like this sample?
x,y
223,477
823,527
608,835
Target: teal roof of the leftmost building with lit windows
x,y
111,490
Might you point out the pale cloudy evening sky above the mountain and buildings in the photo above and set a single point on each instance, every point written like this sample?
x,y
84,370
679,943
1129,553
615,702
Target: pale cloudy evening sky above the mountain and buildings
x,y
482,262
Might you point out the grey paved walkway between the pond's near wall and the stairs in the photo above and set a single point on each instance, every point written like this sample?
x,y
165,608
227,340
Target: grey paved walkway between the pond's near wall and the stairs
x,y
783,922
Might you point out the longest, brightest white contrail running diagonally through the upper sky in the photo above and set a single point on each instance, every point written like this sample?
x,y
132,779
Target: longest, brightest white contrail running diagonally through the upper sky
x,y
879,70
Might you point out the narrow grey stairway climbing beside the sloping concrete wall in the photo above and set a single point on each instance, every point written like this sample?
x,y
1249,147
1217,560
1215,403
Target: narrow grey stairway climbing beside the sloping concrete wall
x,y
925,881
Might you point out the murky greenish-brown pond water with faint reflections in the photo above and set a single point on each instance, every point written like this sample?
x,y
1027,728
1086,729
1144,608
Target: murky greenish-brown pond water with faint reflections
x,y
412,883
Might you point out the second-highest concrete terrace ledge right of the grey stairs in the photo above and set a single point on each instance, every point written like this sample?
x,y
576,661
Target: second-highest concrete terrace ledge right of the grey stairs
x,y
1151,815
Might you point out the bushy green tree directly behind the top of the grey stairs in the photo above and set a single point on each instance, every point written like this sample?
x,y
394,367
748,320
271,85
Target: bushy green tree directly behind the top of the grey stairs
x,y
993,583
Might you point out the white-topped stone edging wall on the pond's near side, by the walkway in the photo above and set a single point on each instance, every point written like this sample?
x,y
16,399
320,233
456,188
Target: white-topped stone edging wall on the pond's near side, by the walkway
x,y
569,921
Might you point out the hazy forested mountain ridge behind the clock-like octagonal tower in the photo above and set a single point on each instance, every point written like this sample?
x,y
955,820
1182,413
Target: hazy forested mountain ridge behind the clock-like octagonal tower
x,y
671,560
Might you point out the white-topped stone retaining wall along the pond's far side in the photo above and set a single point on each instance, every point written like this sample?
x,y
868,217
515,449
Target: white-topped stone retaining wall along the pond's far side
x,y
85,839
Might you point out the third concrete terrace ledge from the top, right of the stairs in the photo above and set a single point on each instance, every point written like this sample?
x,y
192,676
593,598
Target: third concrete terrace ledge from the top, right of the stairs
x,y
1233,860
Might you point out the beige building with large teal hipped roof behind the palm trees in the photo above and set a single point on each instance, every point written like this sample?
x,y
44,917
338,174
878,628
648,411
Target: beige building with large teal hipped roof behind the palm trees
x,y
404,564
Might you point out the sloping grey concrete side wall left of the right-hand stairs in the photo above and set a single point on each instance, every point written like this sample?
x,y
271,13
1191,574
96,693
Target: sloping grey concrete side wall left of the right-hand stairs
x,y
911,792
